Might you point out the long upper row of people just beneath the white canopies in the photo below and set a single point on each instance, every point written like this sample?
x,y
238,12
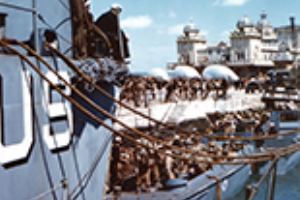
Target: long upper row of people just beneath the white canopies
x,y
143,90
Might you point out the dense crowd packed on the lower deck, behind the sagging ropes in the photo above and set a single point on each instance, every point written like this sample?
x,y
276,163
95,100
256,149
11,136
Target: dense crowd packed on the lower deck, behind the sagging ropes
x,y
139,169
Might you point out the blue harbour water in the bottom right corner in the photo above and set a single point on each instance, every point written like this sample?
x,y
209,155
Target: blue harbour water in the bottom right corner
x,y
287,187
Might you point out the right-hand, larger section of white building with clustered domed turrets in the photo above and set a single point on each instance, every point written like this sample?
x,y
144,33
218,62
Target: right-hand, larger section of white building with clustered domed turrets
x,y
260,47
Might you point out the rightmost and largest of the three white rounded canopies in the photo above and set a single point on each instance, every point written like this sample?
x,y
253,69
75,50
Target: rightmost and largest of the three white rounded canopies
x,y
219,72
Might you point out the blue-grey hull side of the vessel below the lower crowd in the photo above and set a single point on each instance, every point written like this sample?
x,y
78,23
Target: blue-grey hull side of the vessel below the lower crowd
x,y
203,187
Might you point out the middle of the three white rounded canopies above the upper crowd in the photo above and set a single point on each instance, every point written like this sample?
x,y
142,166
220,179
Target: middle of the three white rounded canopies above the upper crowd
x,y
184,71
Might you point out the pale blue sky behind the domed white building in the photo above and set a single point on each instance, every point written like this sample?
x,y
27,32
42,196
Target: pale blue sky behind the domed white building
x,y
153,25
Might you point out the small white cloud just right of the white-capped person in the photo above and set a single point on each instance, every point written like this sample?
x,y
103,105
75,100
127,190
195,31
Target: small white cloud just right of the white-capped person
x,y
137,22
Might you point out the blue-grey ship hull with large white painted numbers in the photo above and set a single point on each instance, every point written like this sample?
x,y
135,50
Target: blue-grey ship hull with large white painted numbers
x,y
53,150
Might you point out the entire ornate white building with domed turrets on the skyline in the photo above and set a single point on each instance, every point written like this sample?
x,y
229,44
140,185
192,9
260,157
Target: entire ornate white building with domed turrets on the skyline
x,y
253,46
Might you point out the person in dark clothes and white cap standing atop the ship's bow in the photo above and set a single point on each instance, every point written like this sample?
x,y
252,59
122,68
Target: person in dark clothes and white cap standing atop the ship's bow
x,y
109,24
